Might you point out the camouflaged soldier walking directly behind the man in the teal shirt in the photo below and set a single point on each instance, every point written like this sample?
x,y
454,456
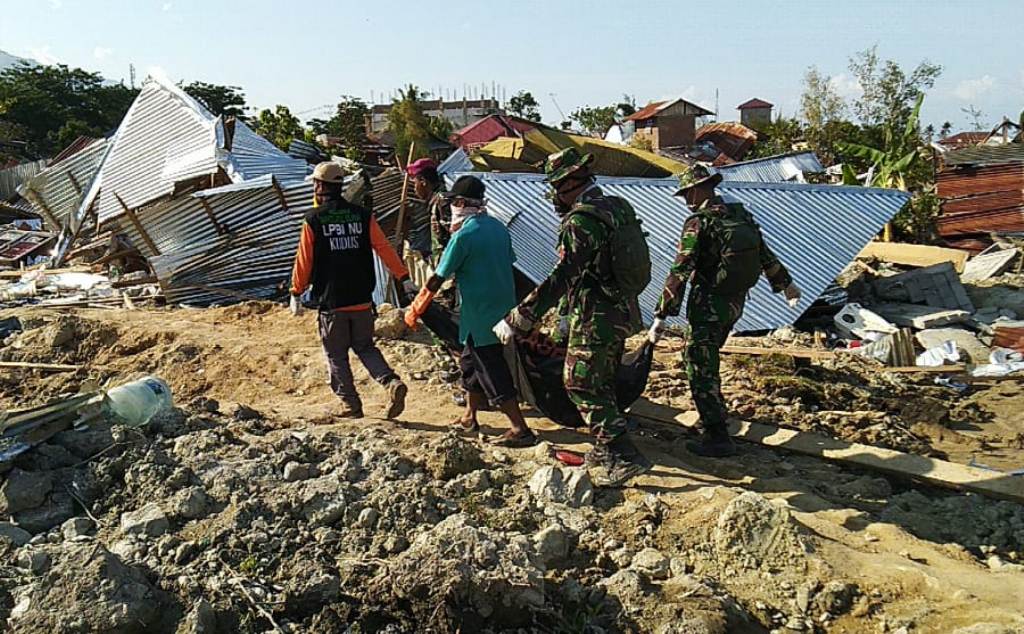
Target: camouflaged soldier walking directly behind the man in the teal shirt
x,y
601,318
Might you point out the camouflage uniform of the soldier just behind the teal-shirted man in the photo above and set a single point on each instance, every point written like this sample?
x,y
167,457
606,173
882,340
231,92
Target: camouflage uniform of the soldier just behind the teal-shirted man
x,y
601,319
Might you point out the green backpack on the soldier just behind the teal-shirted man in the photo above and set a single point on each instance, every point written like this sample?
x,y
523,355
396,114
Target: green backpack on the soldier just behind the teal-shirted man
x,y
629,250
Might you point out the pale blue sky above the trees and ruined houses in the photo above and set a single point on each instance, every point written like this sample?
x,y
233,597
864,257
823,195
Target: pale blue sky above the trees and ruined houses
x,y
308,55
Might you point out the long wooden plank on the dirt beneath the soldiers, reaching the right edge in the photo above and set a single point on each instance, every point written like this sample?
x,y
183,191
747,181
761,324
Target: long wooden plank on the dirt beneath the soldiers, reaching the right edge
x,y
938,473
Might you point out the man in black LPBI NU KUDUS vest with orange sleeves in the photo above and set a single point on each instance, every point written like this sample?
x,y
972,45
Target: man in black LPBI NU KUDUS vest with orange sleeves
x,y
335,257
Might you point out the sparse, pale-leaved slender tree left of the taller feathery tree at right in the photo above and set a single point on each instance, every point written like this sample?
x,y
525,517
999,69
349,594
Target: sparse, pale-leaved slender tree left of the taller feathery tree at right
x,y
823,112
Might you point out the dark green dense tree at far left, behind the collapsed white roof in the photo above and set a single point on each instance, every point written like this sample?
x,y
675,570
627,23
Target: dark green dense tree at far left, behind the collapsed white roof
x,y
50,106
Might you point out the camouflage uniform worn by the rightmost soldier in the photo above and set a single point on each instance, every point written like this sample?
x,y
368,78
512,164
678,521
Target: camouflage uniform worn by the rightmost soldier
x,y
711,316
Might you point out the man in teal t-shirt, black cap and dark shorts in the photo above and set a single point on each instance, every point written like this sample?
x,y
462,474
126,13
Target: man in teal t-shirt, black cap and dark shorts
x,y
480,258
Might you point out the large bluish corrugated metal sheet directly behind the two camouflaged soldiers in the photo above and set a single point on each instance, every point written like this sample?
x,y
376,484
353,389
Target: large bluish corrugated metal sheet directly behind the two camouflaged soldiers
x,y
817,231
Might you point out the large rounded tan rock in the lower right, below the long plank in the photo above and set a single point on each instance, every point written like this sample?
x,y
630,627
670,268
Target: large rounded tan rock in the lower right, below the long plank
x,y
754,533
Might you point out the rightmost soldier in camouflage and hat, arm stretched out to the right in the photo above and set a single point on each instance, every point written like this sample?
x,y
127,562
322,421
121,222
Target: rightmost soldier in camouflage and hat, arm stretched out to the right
x,y
723,252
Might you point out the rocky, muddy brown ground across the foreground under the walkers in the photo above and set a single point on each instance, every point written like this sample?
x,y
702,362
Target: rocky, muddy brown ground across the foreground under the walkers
x,y
250,508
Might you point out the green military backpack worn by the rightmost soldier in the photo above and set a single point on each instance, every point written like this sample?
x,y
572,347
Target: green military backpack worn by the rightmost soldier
x,y
734,264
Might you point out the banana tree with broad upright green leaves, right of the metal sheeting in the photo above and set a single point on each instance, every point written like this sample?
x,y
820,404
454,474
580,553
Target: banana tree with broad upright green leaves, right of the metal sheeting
x,y
891,164
